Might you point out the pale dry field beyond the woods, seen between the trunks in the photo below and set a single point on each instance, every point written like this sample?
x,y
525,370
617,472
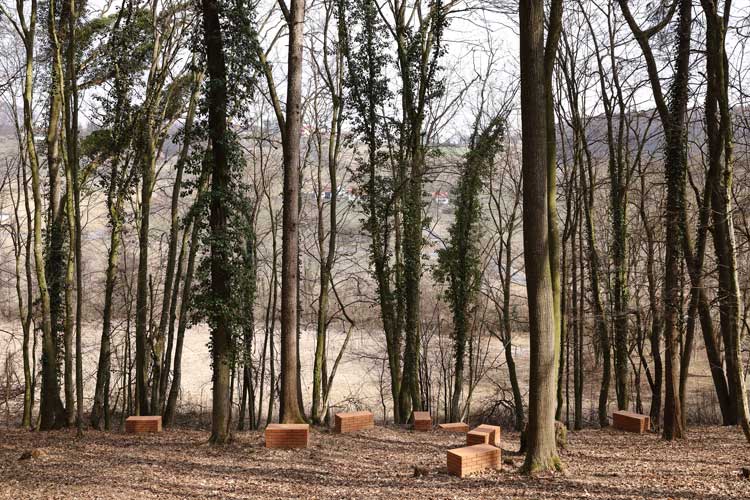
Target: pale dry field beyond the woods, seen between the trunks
x,y
358,379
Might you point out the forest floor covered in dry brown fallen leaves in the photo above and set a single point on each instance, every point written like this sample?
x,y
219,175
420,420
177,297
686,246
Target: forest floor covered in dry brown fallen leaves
x,y
377,463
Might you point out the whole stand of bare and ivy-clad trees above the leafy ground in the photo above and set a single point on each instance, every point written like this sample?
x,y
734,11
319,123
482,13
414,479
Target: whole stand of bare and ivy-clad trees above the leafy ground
x,y
227,115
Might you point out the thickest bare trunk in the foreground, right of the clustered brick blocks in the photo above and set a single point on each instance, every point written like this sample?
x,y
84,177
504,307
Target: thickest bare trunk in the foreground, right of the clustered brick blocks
x,y
541,451
